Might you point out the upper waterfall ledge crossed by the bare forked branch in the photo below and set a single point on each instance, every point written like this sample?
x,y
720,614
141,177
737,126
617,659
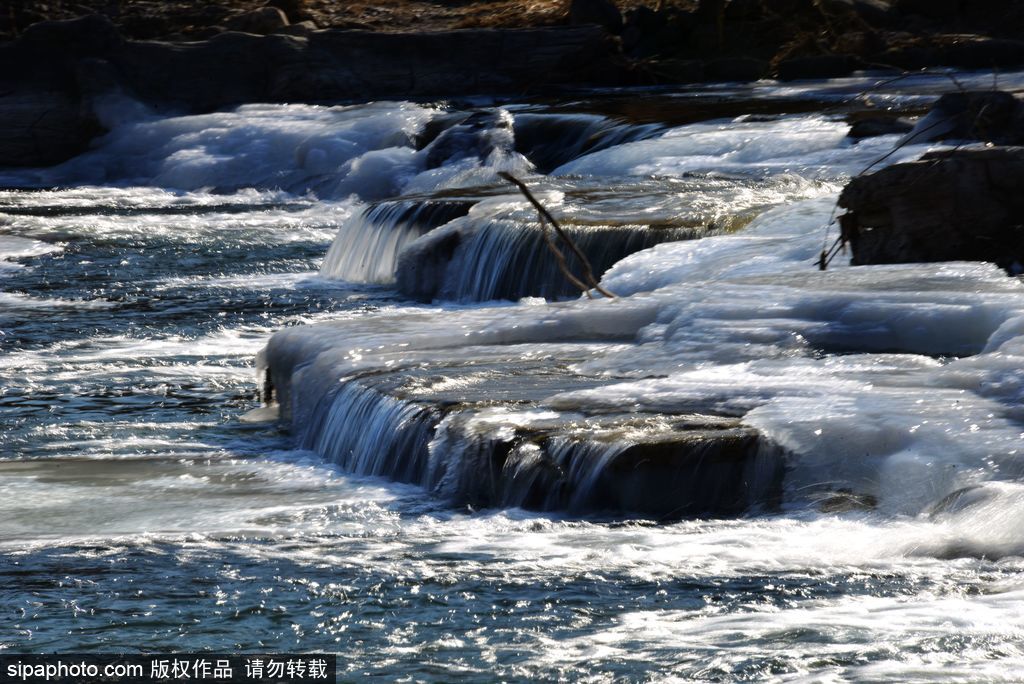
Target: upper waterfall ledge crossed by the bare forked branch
x,y
483,244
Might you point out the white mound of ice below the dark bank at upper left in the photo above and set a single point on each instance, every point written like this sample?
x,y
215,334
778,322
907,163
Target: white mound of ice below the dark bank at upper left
x,y
336,151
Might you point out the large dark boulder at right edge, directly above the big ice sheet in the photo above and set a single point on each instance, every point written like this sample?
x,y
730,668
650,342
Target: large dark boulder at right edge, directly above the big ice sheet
x,y
951,206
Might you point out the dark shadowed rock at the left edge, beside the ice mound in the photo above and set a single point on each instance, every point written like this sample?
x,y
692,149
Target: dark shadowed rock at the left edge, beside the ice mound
x,y
42,129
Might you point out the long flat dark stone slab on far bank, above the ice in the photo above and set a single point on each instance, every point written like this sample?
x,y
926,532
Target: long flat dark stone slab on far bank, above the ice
x,y
237,68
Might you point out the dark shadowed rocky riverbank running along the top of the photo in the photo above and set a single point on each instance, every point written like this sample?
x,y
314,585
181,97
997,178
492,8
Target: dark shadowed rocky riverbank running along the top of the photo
x,y
65,67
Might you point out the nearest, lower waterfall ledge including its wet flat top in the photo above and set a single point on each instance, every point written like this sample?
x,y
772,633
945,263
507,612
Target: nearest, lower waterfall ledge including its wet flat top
x,y
473,422
